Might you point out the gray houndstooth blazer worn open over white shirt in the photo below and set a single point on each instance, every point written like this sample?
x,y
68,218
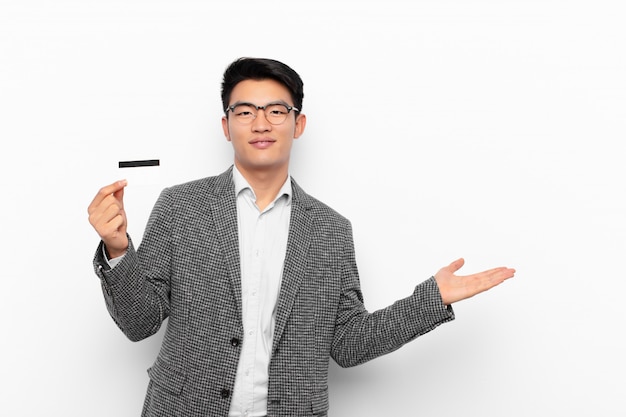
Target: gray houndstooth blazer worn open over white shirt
x,y
187,270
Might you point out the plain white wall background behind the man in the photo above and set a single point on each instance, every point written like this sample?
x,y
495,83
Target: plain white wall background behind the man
x,y
491,130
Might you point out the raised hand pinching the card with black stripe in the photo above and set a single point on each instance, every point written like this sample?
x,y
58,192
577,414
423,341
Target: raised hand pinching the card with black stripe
x,y
107,216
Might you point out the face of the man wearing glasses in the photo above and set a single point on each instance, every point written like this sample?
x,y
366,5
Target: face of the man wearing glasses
x,y
260,145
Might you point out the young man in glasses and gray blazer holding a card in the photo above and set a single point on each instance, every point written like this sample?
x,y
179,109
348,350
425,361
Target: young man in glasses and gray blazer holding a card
x,y
258,279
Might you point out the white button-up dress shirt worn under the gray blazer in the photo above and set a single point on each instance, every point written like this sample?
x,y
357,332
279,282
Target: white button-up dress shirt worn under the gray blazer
x,y
262,248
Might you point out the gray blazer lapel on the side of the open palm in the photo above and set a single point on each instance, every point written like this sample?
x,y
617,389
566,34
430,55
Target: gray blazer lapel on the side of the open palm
x,y
298,243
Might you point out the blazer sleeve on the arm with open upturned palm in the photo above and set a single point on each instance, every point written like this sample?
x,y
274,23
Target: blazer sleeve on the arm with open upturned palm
x,y
361,336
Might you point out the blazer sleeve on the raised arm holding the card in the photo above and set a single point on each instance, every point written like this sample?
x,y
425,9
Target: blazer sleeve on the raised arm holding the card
x,y
137,290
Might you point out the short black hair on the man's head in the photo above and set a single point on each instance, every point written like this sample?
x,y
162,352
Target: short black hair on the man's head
x,y
262,69
